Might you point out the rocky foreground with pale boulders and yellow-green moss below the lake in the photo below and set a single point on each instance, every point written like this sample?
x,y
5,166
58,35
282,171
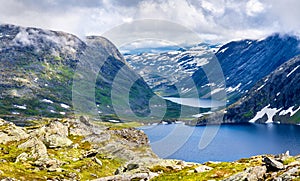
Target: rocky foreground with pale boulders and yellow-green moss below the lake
x,y
81,149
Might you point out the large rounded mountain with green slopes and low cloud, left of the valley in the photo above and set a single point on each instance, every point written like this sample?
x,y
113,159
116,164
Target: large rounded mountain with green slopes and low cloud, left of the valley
x,y
37,68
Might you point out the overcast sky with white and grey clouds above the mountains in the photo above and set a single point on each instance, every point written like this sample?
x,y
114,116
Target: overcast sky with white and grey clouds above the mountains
x,y
216,20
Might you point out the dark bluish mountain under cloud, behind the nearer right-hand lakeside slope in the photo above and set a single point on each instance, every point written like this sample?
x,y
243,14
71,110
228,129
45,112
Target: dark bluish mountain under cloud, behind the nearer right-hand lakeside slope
x,y
245,62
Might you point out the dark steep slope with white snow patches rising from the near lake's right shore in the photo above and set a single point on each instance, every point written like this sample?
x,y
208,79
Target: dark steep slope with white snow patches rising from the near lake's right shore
x,y
275,98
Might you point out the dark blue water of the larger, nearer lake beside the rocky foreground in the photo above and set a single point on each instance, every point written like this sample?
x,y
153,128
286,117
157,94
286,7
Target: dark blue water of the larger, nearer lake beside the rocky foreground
x,y
231,142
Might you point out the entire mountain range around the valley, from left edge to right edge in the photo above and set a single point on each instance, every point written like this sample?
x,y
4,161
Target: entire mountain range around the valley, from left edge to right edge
x,y
38,67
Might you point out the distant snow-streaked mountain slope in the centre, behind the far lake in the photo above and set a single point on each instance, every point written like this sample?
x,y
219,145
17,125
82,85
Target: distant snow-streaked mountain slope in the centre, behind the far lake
x,y
165,70
